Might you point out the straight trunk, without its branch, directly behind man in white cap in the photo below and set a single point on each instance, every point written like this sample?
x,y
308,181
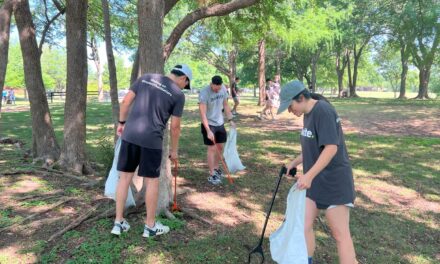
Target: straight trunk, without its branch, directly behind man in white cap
x,y
150,20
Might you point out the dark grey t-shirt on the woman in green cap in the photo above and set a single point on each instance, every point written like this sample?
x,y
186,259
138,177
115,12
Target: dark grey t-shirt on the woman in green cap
x,y
333,185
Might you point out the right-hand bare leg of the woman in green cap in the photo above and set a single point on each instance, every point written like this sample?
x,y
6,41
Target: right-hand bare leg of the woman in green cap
x,y
338,219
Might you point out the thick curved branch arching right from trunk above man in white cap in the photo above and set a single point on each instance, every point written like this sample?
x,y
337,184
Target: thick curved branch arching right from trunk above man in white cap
x,y
204,12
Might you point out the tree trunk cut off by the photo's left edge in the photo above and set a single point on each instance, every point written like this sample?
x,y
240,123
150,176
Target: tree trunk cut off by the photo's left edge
x,y
5,28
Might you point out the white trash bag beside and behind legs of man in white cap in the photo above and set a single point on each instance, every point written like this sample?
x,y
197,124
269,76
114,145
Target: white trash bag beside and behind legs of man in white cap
x,y
113,178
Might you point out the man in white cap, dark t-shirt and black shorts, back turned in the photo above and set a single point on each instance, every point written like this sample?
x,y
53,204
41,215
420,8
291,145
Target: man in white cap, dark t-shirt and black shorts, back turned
x,y
154,99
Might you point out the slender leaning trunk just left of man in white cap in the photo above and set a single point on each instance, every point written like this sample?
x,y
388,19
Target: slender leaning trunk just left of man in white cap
x,y
111,64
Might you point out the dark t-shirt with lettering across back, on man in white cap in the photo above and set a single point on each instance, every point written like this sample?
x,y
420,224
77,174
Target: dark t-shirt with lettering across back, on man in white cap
x,y
157,98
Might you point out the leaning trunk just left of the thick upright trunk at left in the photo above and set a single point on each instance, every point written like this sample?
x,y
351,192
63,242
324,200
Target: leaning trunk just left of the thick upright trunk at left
x,y
44,142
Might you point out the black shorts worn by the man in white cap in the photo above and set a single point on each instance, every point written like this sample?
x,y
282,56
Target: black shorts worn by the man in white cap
x,y
132,155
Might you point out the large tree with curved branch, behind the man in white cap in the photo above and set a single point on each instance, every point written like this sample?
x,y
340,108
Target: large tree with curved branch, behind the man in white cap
x,y
153,53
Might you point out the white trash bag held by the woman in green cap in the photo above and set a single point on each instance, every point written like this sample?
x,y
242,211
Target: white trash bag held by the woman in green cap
x,y
288,243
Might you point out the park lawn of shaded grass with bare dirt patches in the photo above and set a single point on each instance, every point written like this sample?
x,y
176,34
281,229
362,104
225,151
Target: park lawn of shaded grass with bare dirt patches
x,y
397,178
